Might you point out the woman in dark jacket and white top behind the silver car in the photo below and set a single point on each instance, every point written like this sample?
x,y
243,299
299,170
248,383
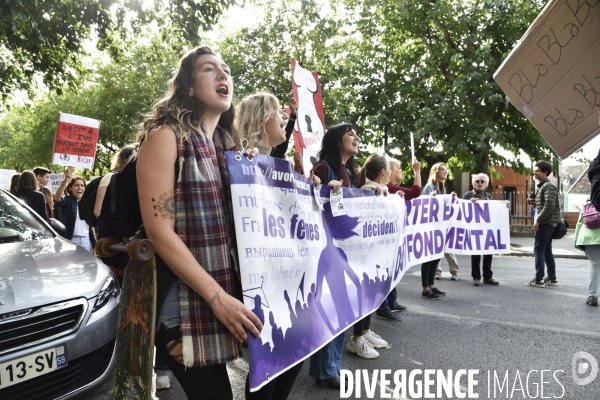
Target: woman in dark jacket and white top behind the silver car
x,y
77,230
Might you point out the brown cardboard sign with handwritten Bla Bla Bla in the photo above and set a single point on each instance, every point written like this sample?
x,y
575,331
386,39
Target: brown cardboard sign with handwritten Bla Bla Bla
x,y
553,74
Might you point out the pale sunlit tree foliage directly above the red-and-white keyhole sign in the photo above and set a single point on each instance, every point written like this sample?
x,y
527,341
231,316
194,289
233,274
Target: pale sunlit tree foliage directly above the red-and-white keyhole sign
x,y
260,57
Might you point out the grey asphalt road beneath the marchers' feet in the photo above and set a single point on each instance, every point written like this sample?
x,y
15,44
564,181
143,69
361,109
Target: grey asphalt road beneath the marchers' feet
x,y
510,331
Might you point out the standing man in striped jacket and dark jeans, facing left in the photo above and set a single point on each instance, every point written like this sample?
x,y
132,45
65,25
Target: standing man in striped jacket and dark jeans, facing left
x,y
548,216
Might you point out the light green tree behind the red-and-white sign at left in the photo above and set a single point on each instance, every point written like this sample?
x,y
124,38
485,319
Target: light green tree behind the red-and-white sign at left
x,y
118,94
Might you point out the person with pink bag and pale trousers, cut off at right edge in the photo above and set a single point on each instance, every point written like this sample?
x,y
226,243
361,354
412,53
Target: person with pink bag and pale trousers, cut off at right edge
x,y
589,239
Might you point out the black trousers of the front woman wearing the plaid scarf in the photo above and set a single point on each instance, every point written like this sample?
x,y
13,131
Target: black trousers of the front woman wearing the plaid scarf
x,y
212,381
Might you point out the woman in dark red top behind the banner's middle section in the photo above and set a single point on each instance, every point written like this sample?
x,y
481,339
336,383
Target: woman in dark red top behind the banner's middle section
x,y
390,305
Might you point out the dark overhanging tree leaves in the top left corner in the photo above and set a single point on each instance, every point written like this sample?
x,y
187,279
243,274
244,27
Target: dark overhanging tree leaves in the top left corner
x,y
46,36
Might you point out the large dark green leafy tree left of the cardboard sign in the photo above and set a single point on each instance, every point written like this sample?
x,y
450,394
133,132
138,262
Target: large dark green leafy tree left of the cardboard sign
x,y
427,68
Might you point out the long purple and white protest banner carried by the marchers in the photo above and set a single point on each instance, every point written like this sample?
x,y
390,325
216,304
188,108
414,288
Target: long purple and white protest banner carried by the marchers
x,y
309,276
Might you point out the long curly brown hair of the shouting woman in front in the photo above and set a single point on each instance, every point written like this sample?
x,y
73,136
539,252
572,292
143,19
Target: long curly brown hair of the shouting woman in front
x,y
186,112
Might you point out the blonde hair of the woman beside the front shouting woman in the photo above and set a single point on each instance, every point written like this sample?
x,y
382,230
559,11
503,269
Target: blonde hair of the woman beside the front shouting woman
x,y
252,112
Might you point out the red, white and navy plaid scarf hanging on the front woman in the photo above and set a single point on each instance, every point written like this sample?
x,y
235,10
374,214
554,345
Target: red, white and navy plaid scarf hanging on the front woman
x,y
204,222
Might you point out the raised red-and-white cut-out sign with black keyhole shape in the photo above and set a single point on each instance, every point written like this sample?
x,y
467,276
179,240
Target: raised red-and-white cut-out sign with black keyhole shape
x,y
310,122
